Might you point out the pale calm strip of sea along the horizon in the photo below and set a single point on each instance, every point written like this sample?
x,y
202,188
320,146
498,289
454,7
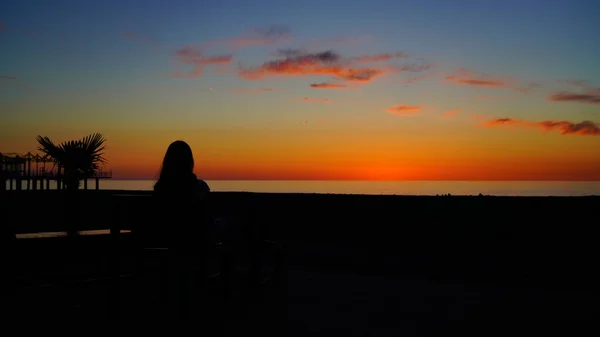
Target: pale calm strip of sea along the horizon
x,y
495,188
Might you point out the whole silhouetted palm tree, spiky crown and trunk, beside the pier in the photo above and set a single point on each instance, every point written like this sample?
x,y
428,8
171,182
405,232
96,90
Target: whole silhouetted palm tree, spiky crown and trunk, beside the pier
x,y
79,160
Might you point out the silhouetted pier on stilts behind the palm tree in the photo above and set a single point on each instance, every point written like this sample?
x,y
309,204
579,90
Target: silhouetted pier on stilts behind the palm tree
x,y
37,171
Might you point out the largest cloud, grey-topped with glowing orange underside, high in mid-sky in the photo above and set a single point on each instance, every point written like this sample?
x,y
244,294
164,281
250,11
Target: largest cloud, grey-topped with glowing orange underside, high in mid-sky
x,y
300,63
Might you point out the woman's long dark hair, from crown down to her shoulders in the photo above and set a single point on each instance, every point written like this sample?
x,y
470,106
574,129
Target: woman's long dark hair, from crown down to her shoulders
x,y
177,171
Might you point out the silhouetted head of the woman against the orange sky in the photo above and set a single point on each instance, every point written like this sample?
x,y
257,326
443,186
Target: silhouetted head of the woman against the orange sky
x,y
178,161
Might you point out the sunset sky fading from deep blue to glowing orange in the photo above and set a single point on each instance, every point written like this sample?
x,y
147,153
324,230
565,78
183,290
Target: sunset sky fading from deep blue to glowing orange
x,y
394,90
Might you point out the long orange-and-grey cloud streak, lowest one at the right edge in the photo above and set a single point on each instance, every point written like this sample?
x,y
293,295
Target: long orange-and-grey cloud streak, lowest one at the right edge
x,y
585,128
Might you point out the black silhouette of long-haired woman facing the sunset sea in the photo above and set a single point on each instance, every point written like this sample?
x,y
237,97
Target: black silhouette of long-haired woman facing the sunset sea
x,y
181,222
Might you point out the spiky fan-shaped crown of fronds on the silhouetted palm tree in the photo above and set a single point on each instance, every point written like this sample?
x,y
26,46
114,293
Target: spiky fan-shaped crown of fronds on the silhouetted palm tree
x,y
80,159
